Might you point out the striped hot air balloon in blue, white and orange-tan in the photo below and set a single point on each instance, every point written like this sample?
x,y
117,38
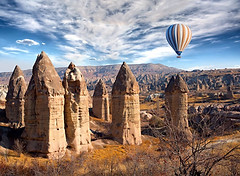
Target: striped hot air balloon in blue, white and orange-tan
x,y
178,37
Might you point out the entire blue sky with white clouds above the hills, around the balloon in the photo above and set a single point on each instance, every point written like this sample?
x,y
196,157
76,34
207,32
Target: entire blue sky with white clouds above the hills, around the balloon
x,y
100,32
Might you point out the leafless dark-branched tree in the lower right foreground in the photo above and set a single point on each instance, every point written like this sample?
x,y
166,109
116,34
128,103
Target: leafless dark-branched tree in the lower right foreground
x,y
196,156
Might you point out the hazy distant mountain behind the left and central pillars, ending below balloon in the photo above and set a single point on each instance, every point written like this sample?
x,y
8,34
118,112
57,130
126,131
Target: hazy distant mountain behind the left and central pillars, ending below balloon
x,y
107,72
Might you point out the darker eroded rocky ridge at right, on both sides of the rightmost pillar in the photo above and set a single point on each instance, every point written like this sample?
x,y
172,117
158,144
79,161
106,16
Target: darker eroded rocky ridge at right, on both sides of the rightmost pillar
x,y
197,80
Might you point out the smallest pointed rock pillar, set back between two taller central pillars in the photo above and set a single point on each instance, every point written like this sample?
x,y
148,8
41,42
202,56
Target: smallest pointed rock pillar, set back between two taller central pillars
x,y
101,101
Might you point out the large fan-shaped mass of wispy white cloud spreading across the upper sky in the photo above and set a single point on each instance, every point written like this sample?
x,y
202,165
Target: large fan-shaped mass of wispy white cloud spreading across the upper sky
x,y
111,30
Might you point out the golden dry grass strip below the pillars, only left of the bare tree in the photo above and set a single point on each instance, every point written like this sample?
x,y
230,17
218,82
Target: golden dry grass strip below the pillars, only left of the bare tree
x,y
110,160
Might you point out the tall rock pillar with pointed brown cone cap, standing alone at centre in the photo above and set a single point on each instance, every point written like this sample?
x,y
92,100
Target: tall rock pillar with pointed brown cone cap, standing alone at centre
x,y
126,126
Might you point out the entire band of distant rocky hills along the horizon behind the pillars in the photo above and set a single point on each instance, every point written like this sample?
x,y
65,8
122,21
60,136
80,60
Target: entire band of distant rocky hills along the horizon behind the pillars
x,y
153,77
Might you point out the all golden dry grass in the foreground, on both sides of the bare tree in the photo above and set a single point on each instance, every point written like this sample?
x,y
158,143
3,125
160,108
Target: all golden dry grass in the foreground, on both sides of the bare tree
x,y
144,159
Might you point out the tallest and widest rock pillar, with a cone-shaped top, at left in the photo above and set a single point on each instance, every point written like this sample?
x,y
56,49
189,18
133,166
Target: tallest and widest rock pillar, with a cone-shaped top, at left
x,y
44,132
